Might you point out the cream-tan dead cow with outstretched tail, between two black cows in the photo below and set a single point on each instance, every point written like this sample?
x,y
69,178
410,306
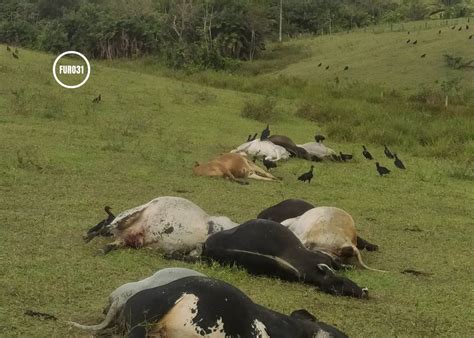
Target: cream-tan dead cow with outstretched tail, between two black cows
x,y
328,229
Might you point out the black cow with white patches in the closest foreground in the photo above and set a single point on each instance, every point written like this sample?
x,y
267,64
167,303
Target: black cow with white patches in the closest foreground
x,y
202,306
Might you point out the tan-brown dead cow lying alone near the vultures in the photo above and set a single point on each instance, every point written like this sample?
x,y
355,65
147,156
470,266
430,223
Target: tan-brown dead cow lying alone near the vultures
x,y
234,167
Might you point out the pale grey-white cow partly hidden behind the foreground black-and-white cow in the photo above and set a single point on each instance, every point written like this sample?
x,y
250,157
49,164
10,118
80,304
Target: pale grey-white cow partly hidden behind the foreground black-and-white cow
x,y
119,296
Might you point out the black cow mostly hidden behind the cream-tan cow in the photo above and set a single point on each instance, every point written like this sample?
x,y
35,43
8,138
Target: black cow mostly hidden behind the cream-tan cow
x,y
291,208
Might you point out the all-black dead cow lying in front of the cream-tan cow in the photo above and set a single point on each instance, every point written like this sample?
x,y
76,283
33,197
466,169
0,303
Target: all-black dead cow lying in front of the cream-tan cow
x,y
269,248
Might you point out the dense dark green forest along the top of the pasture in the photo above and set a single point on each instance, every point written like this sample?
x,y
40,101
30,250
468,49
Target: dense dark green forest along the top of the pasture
x,y
203,33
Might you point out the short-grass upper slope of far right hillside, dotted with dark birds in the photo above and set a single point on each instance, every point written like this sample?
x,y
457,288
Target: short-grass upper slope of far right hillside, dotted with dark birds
x,y
387,59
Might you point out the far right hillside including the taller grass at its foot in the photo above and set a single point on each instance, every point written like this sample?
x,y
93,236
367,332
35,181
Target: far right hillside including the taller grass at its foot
x,y
389,93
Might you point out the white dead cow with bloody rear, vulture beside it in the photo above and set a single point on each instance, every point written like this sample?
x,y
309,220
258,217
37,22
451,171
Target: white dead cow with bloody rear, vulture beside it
x,y
170,224
